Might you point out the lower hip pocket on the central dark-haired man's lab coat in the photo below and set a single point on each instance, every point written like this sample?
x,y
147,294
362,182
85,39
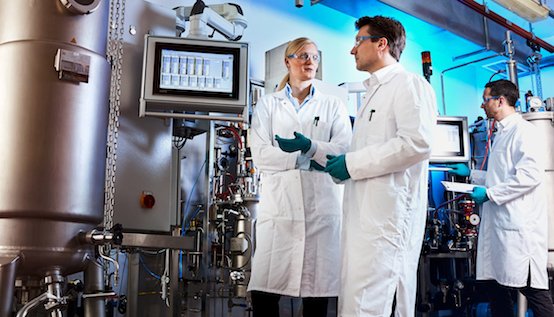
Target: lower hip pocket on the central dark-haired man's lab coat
x,y
384,208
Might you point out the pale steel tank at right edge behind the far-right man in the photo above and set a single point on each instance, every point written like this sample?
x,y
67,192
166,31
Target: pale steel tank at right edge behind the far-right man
x,y
544,120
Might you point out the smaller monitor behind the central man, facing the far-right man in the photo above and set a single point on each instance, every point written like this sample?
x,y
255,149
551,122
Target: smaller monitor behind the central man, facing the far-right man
x,y
451,140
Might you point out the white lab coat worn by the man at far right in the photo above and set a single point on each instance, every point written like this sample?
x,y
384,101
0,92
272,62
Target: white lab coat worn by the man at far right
x,y
514,223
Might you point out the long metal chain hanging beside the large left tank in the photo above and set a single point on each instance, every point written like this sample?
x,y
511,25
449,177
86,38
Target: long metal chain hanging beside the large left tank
x,y
115,57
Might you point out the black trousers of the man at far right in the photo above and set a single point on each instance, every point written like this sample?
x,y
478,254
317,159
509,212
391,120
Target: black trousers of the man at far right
x,y
501,300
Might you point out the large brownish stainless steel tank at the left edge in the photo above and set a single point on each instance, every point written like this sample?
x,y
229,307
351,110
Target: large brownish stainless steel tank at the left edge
x,y
52,137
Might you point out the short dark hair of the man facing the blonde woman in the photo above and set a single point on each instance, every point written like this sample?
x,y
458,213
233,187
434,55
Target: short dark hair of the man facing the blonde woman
x,y
388,28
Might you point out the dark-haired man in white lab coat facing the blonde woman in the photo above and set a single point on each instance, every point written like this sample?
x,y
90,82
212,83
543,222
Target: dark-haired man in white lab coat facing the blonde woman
x,y
386,174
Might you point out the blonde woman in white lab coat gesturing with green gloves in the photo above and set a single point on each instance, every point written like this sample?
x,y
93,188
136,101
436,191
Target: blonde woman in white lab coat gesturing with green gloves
x,y
297,231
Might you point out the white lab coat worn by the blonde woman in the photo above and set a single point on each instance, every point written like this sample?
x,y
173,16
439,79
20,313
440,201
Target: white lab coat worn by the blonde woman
x,y
297,231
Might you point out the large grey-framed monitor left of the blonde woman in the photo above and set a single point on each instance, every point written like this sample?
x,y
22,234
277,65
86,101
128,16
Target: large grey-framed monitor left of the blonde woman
x,y
182,74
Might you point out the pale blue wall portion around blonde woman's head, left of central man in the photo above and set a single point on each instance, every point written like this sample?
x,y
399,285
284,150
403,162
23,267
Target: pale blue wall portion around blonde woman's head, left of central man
x,y
272,23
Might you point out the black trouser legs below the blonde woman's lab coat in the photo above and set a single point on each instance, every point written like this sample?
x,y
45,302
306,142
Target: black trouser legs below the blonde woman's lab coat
x,y
267,305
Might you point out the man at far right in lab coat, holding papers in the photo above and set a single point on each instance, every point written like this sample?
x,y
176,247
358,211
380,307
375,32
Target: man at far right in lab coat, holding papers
x,y
512,248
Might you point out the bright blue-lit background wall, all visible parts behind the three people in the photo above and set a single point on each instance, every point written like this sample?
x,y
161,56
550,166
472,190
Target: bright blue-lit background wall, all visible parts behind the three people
x,y
272,23
